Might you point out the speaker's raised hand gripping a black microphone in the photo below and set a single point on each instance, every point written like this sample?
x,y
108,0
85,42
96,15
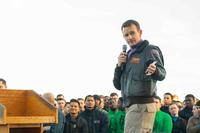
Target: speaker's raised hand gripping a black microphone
x,y
122,57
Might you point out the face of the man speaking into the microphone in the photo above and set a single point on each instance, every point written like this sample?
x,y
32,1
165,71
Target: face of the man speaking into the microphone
x,y
132,35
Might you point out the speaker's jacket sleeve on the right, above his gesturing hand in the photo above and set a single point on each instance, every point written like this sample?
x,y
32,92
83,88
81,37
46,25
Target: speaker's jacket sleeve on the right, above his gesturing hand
x,y
155,54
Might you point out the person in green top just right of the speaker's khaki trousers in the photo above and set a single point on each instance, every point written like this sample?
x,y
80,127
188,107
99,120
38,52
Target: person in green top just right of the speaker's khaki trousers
x,y
163,121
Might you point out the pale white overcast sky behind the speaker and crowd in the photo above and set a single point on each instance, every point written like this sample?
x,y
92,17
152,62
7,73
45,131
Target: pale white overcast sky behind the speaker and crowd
x,y
71,46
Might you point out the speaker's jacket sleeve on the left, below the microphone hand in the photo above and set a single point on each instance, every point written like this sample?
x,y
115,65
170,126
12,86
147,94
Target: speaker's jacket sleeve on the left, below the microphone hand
x,y
117,76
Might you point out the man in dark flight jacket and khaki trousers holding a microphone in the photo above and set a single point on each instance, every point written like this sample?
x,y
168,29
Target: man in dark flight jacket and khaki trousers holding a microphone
x,y
136,74
